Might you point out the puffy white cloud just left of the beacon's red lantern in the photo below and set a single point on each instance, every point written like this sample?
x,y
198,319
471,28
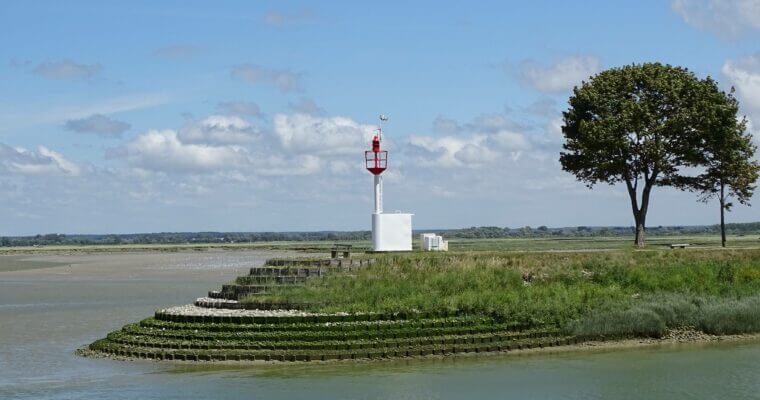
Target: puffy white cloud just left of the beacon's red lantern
x,y
302,133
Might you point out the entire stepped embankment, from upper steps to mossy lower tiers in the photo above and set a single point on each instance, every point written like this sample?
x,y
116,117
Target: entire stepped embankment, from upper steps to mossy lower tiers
x,y
219,328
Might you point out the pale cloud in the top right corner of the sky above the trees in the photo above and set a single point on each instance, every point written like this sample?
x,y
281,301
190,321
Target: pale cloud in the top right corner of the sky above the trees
x,y
726,18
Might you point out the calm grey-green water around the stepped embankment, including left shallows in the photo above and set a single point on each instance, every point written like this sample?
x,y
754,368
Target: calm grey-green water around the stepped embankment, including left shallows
x,y
50,306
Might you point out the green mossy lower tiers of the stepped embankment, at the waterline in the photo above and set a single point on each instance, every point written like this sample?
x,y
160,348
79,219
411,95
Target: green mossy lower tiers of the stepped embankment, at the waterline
x,y
303,338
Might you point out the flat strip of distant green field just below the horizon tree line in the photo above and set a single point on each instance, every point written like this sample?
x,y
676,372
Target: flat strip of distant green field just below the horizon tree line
x,y
521,244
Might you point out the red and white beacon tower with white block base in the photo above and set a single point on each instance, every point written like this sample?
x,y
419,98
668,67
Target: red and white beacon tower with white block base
x,y
390,231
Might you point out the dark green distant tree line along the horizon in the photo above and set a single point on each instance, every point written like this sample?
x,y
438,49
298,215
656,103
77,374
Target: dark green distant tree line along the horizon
x,y
480,232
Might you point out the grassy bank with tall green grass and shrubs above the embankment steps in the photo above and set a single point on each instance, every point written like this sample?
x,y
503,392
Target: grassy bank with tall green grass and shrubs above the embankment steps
x,y
616,293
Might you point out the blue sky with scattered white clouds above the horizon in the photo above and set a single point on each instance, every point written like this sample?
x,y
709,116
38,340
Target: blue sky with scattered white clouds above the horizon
x,y
144,116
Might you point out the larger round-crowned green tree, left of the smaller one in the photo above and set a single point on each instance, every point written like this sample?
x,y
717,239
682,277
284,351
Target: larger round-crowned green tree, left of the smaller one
x,y
638,125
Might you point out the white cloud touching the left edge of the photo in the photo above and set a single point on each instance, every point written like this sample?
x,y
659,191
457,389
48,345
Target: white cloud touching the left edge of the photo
x,y
41,162
